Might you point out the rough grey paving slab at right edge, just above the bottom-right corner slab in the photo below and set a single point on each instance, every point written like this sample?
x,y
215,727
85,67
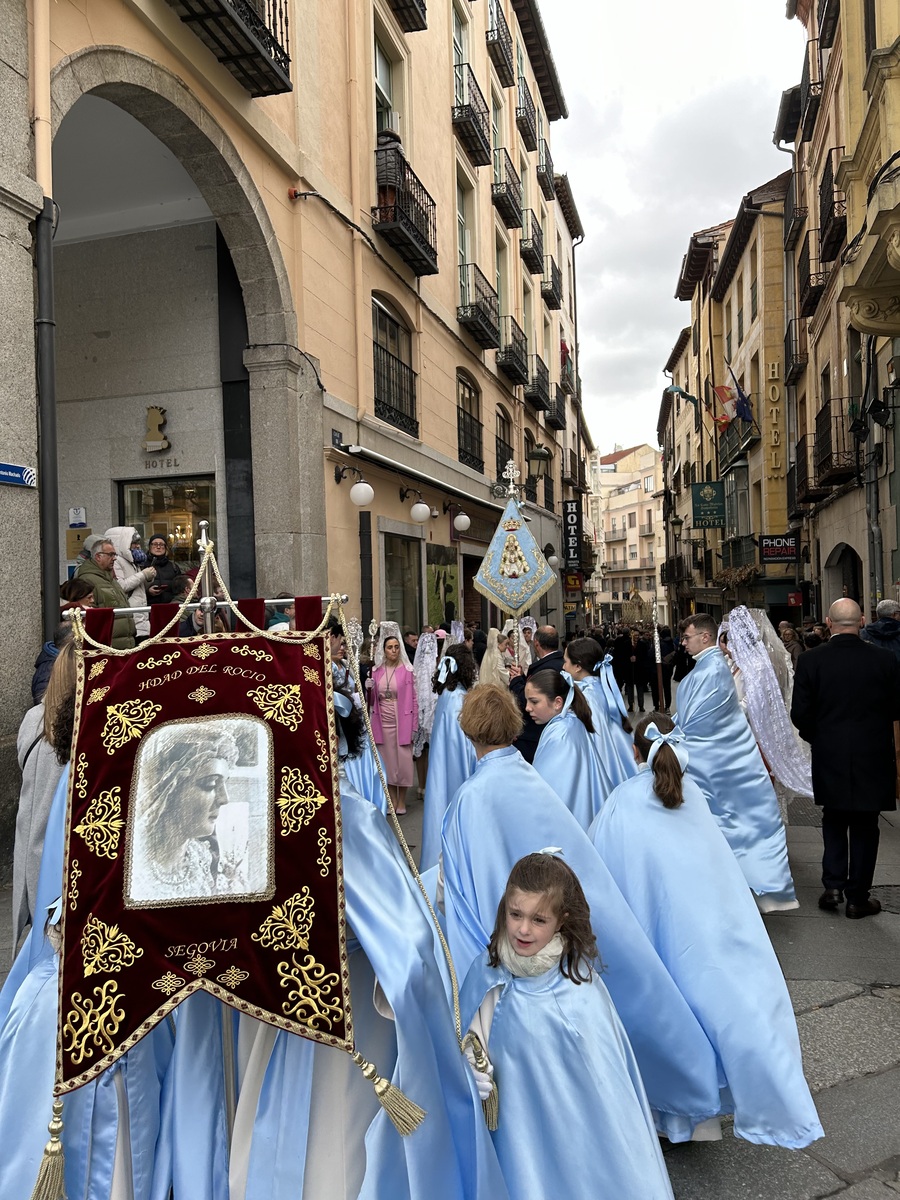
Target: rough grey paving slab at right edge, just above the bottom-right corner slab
x,y
854,1039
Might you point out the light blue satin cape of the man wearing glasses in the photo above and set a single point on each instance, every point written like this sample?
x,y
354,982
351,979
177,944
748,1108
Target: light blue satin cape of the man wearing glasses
x,y
727,764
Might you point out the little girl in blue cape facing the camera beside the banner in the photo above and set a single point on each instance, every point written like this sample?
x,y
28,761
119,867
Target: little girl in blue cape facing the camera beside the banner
x,y
574,1119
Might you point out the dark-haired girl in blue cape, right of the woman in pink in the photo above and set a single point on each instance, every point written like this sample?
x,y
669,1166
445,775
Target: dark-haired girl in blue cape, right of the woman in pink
x,y
452,759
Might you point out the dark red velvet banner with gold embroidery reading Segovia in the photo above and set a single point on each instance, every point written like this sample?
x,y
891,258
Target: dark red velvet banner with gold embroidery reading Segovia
x,y
203,844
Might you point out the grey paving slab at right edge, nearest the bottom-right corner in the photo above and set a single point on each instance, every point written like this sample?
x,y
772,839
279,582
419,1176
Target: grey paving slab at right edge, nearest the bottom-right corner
x,y
861,1124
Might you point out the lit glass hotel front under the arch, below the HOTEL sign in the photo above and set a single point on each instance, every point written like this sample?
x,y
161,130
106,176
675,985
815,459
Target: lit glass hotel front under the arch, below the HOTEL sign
x,y
173,508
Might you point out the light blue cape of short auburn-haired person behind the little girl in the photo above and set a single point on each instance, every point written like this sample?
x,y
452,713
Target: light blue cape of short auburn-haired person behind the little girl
x,y
507,812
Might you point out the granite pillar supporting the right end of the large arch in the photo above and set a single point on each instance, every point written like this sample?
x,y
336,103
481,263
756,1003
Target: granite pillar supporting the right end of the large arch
x,y
286,418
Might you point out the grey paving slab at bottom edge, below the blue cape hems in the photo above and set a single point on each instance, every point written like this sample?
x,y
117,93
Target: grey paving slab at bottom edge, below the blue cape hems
x,y
740,1171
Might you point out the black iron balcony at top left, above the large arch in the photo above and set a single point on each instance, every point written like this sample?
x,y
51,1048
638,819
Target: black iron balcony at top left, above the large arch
x,y
249,38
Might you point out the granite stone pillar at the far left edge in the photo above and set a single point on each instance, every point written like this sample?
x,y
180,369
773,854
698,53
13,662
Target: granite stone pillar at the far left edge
x,y
21,200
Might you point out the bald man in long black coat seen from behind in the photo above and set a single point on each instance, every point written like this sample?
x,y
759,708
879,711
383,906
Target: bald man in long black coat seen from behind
x,y
847,698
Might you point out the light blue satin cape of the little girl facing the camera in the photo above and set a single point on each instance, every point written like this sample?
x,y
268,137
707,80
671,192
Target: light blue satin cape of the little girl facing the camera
x,y
574,1119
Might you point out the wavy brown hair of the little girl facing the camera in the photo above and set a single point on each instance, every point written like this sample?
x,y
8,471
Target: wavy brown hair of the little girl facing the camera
x,y
557,883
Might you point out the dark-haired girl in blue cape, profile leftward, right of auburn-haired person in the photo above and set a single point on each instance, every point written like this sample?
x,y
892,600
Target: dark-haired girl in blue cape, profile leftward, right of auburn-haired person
x,y
566,755
